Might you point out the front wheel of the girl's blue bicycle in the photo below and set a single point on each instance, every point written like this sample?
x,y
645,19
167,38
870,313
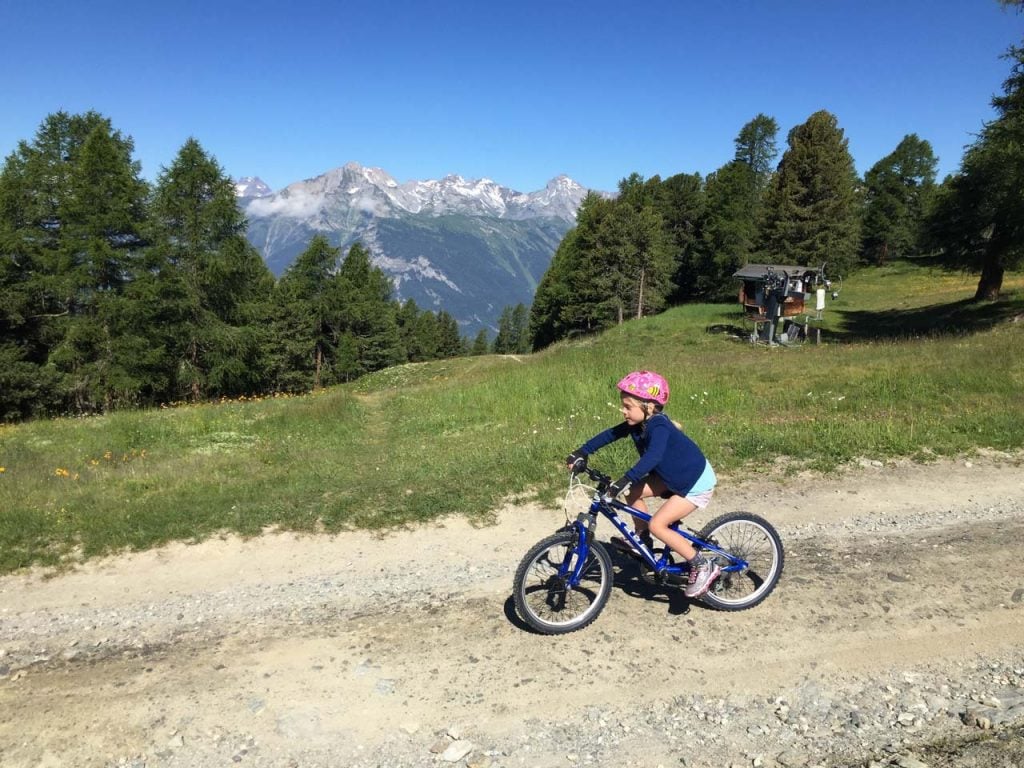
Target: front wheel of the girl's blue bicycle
x,y
545,599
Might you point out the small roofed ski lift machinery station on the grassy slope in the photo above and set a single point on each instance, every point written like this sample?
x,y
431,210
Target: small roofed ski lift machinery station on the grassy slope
x,y
785,304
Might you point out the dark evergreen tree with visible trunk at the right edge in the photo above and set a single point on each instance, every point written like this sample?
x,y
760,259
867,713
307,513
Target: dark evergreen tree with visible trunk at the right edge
x,y
978,220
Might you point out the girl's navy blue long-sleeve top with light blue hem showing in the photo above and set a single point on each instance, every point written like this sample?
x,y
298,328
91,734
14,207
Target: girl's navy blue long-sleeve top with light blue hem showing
x,y
665,450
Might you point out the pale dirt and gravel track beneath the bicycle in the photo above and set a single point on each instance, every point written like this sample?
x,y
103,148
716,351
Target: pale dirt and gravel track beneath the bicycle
x,y
293,651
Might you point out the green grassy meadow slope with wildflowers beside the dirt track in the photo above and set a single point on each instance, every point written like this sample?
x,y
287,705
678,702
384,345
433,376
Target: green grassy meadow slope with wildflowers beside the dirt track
x,y
911,368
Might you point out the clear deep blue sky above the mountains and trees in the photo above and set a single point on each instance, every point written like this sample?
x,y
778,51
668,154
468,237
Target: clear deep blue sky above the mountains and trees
x,y
517,92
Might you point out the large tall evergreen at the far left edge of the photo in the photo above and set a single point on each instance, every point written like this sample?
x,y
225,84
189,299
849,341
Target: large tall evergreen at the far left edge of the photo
x,y
72,205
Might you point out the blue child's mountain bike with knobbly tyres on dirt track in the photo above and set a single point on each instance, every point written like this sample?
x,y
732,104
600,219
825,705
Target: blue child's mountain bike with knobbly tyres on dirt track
x,y
564,582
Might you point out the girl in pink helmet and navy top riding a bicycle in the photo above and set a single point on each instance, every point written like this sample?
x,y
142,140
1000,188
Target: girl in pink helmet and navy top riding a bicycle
x,y
671,466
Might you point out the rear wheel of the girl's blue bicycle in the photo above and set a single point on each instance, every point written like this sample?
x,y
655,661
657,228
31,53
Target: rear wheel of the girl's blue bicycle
x,y
756,541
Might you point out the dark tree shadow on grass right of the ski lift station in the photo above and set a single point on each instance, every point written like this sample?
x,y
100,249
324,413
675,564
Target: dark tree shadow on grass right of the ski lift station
x,y
964,317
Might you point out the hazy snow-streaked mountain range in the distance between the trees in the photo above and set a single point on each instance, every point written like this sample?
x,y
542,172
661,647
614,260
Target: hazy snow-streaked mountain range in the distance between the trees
x,y
471,247
